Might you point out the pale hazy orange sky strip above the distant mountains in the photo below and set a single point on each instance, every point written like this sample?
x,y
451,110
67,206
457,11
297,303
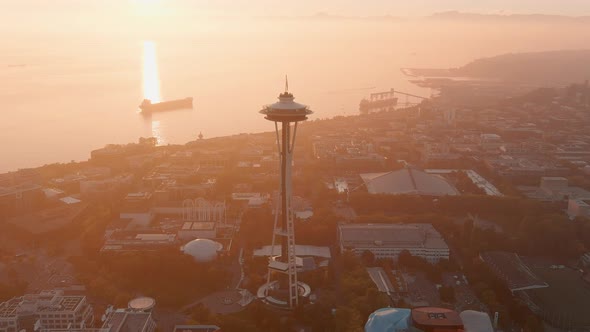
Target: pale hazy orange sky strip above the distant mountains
x,y
343,7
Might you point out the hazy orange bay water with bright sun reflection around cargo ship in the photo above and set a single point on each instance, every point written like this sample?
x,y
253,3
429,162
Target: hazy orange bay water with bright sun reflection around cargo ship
x,y
64,92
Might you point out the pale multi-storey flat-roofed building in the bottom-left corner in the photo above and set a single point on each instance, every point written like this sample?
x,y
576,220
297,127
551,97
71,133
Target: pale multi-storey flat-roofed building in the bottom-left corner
x,y
46,310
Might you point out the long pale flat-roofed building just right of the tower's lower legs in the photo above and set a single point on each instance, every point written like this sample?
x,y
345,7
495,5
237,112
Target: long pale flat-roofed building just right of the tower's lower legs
x,y
389,240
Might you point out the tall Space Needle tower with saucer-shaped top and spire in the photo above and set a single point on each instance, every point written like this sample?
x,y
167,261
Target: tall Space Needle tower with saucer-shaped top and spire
x,y
284,112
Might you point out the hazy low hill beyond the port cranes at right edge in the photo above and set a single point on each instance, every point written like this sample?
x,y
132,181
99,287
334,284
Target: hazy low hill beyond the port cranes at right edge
x,y
550,68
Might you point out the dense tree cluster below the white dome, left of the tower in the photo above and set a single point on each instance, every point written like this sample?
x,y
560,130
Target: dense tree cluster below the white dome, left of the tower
x,y
171,277
